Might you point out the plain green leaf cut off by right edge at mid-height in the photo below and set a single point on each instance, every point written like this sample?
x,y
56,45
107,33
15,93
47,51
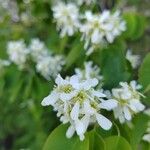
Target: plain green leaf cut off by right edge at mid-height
x,y
144,72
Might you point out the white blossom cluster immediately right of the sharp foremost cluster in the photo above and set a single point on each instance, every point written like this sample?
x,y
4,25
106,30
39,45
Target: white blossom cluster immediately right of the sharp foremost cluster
x,y
128,101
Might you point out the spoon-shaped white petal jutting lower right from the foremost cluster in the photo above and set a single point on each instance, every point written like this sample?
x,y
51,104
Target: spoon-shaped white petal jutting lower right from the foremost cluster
x,y
103,122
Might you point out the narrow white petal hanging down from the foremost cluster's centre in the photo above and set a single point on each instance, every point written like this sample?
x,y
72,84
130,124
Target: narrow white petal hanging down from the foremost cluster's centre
x,y
75,111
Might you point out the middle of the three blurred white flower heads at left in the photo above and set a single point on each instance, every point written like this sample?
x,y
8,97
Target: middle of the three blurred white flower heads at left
x,y
37,49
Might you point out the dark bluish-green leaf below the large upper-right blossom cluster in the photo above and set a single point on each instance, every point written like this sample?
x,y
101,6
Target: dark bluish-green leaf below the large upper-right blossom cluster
x,y
113,65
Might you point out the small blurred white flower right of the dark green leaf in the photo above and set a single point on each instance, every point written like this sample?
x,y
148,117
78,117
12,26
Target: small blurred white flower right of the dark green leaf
x,y
133,59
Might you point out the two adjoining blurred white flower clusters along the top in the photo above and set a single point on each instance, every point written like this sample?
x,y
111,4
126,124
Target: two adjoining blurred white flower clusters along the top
x,y
97,29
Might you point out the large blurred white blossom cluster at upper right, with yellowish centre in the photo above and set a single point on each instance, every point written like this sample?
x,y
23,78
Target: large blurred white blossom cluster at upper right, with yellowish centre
x,y
100,29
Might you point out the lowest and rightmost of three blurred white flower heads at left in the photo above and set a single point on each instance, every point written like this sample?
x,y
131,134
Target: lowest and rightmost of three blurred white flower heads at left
x,y
50,66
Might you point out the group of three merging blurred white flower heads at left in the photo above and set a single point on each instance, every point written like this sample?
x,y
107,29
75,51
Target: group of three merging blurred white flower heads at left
x,y
47,64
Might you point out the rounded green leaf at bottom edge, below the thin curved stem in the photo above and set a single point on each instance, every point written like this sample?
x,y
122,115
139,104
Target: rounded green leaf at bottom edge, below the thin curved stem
x,y
117,143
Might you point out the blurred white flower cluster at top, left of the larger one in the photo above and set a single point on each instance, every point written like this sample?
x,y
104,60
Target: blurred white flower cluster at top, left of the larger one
x,y
66,17
